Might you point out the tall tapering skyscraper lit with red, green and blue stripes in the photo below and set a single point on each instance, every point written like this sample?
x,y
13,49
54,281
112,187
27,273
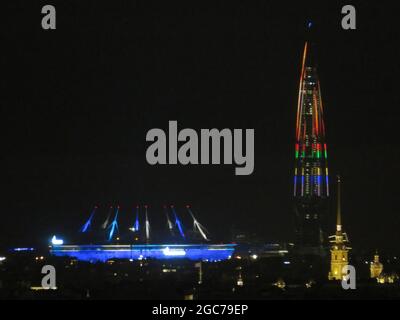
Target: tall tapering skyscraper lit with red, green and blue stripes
x,y
311,182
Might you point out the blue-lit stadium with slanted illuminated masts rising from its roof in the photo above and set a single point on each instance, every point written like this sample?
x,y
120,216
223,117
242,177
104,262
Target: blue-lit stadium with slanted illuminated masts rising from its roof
x,y
107,249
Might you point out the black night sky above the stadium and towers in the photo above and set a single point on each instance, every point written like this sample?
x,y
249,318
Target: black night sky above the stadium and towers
x,y
77,102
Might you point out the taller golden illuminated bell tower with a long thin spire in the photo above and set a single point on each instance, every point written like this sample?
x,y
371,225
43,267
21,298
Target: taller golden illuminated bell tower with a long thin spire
x,y
339,250
